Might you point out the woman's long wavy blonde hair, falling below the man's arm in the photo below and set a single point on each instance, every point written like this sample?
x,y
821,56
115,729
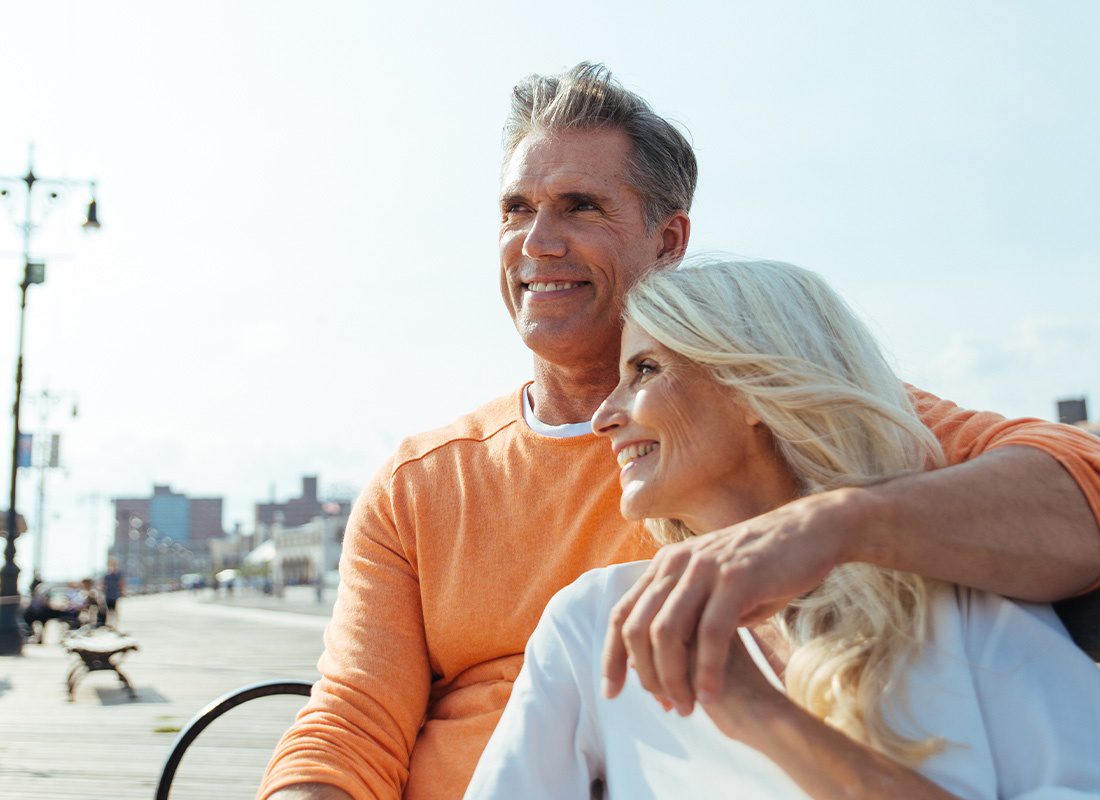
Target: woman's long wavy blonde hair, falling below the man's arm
x,y
812,374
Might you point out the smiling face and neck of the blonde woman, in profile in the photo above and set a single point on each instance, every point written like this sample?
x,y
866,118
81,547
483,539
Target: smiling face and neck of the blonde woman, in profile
x,y
687,446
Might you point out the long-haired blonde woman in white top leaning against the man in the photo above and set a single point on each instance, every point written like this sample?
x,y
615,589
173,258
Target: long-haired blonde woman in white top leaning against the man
x,y
743,387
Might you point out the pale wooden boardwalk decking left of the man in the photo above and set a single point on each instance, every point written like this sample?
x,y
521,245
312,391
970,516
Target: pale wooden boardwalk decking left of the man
x,y
105,746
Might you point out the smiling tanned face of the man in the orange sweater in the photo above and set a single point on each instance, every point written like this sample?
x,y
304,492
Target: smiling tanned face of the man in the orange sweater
x,y
574,239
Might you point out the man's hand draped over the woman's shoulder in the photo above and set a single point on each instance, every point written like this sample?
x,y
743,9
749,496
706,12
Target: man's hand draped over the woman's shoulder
x,y
696,594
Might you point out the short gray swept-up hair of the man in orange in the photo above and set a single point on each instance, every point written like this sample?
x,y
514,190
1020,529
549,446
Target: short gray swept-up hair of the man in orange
x,y
663,166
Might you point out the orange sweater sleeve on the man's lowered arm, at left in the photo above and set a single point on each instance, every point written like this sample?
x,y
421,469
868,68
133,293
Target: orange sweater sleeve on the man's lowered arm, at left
x,y
359,728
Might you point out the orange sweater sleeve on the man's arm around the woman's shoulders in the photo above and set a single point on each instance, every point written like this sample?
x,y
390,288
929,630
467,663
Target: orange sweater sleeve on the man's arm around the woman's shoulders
x,y
965,435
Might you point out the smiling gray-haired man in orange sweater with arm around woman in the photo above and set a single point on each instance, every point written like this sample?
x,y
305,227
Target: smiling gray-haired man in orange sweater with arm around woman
x,y
464,536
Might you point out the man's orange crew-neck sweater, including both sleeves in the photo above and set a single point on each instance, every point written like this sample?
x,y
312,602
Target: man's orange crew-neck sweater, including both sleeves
x,y
450,556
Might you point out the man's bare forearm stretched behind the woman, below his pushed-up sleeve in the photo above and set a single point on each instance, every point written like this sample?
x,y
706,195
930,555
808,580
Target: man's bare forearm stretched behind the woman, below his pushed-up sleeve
x,y
1011,522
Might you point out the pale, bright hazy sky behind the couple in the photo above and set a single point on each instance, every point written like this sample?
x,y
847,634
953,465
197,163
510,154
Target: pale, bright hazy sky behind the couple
x,y
298,264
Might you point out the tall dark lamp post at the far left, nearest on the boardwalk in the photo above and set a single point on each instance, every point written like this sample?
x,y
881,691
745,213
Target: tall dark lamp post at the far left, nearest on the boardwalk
x,y
35,272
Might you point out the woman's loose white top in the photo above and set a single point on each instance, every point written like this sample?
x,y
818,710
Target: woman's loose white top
x,y
1002,682
